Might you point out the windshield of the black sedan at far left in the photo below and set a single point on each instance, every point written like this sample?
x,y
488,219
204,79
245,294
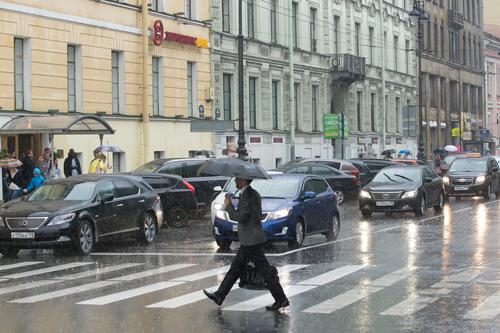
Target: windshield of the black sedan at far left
x,y
64,191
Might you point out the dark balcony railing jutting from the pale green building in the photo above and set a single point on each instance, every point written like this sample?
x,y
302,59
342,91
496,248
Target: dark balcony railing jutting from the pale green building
x,y
348,68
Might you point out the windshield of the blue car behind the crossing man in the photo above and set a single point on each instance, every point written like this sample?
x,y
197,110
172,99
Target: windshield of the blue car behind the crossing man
x,y
277,188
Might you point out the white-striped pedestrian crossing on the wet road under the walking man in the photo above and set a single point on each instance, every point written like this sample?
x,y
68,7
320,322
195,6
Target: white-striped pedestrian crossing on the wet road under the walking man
x,y
91,284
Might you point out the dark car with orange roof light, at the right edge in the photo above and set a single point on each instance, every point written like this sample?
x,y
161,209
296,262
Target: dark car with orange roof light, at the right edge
x,y
473,176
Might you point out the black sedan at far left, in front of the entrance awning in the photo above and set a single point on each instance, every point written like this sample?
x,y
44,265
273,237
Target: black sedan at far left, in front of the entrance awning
x,y
80,212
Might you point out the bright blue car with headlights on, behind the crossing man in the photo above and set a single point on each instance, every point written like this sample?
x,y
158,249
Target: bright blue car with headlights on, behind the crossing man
x,y
293,206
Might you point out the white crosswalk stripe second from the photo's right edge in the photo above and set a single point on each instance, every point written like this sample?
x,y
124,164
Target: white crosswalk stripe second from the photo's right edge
x,y
423,298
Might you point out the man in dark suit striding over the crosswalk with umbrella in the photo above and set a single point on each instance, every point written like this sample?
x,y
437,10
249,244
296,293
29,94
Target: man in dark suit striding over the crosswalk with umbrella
x,y
250,233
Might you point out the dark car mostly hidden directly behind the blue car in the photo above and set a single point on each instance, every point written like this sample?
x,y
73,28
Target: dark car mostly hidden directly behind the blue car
x,y
345,186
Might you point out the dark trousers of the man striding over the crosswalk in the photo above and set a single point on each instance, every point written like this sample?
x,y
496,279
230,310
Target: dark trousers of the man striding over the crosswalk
x,y
256,255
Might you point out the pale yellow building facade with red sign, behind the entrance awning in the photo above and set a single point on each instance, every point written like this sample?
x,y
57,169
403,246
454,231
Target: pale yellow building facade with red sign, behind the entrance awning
x,y
90,58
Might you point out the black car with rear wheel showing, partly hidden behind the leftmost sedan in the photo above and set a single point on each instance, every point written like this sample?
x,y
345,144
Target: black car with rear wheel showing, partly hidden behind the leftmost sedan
x,y
177,197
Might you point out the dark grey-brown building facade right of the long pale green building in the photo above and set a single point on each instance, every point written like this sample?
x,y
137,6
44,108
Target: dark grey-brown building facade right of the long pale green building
x,y
453,77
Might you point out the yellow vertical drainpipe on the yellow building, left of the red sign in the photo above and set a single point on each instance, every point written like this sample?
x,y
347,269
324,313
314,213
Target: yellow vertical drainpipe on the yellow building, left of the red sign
x,y
145,67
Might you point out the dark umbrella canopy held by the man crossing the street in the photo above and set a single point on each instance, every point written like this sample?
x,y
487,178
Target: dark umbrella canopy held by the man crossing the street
x,y
233,167
